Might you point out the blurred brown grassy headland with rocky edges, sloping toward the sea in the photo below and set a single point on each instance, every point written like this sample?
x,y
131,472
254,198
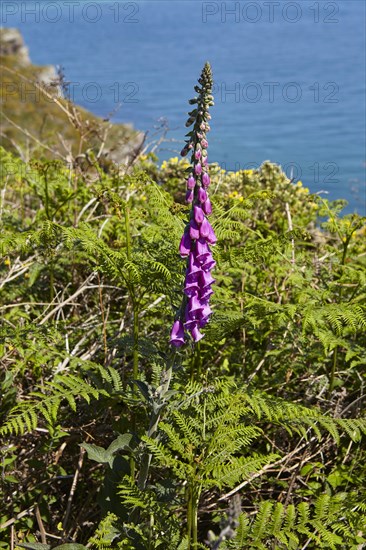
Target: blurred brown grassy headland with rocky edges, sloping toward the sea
x,y
26,111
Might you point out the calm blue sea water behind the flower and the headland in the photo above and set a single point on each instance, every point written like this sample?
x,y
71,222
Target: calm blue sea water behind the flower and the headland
x,y
289,76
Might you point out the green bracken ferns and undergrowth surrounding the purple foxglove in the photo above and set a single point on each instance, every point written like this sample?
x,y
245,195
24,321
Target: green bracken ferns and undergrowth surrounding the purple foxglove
x,y
252,438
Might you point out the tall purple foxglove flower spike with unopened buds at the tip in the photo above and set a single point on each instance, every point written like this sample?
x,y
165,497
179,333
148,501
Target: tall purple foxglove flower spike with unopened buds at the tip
x,y
198,234
